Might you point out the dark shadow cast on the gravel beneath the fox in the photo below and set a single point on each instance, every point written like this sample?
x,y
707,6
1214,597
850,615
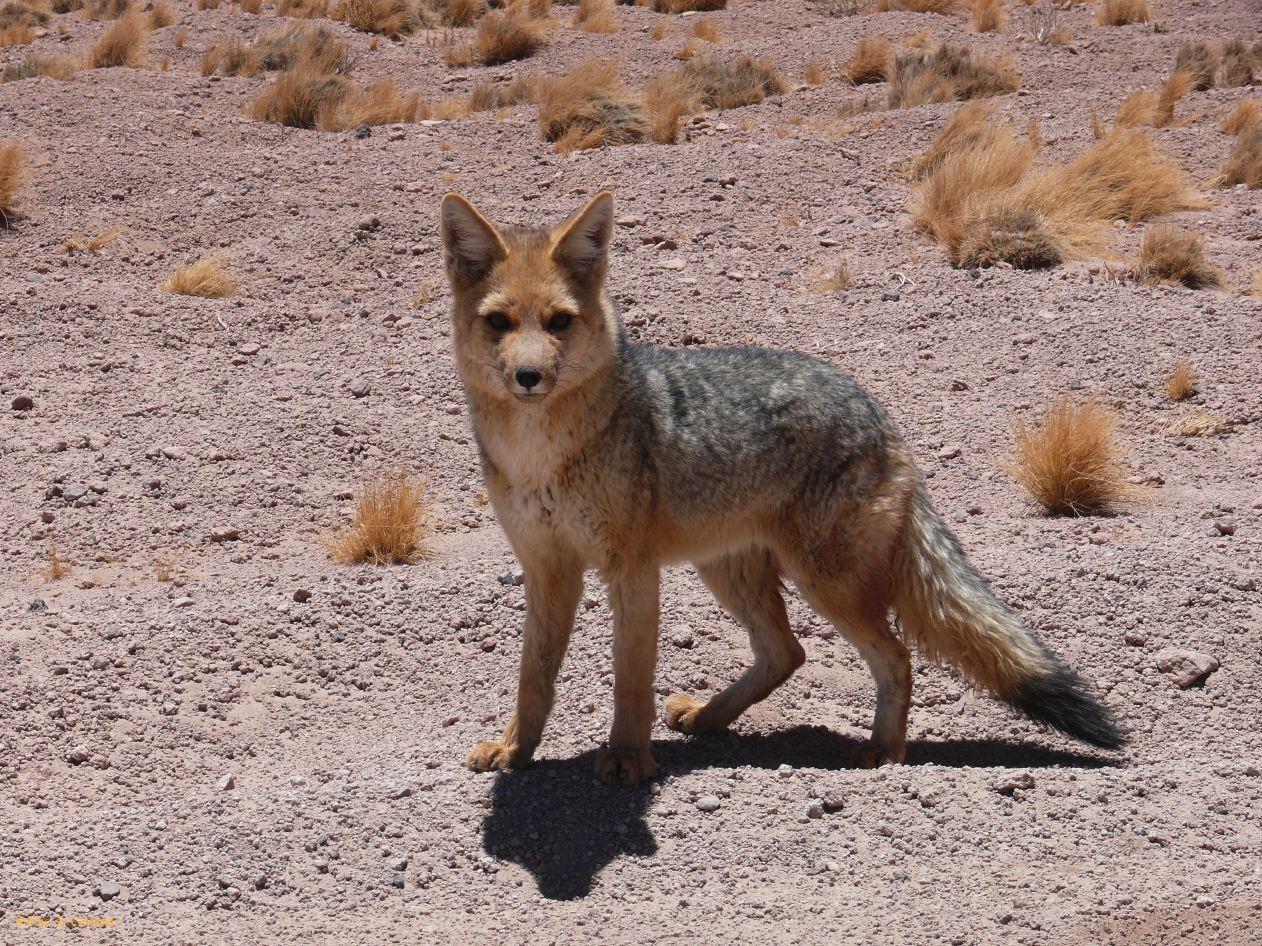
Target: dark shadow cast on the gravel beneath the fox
x,y
565,827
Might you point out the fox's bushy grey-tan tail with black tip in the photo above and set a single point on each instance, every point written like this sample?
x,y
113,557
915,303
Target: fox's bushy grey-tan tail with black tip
x,y
948,611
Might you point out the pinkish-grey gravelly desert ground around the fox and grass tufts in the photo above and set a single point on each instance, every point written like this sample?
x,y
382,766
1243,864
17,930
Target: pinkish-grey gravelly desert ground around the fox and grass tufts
x,y
211,443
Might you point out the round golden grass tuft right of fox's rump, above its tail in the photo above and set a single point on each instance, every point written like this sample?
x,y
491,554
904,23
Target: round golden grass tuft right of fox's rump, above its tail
x,y
1072,461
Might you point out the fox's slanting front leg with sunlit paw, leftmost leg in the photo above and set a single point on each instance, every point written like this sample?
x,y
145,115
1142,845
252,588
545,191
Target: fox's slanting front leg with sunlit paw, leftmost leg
x,y
553,590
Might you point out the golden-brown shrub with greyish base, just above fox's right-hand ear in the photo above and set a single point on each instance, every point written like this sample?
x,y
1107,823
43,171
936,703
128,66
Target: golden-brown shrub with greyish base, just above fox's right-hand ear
x,y
590,108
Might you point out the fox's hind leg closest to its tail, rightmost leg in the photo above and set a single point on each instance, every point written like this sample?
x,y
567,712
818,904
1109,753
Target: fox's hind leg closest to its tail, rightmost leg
x,y
861,619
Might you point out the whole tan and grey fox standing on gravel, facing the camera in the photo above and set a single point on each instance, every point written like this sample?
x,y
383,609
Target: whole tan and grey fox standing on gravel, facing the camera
x,y
762,469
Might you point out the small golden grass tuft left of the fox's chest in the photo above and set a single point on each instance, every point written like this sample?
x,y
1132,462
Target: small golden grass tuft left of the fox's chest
x,y
392,524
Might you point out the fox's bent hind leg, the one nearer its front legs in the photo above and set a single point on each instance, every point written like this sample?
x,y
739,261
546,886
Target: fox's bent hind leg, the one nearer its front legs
x,y
748,585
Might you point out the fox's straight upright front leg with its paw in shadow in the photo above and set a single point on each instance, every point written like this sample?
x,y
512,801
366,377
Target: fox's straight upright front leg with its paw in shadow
x,y
634,599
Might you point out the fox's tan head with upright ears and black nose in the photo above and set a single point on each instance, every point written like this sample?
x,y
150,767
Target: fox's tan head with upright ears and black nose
x,y
529,317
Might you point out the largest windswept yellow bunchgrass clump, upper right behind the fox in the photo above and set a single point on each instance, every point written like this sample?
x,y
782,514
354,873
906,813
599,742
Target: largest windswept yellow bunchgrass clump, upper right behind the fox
x,y
982,201
